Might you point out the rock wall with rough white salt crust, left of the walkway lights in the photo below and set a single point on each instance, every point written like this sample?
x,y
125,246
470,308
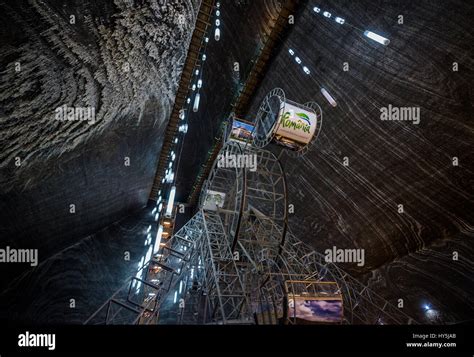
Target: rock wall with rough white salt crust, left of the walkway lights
x,y
122,58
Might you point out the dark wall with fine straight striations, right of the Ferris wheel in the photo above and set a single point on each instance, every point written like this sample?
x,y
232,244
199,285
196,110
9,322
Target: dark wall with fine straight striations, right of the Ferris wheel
x,y
407,254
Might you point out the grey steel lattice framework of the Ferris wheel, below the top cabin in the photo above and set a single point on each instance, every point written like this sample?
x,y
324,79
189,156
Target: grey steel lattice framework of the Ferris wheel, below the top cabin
x,y
236,262
